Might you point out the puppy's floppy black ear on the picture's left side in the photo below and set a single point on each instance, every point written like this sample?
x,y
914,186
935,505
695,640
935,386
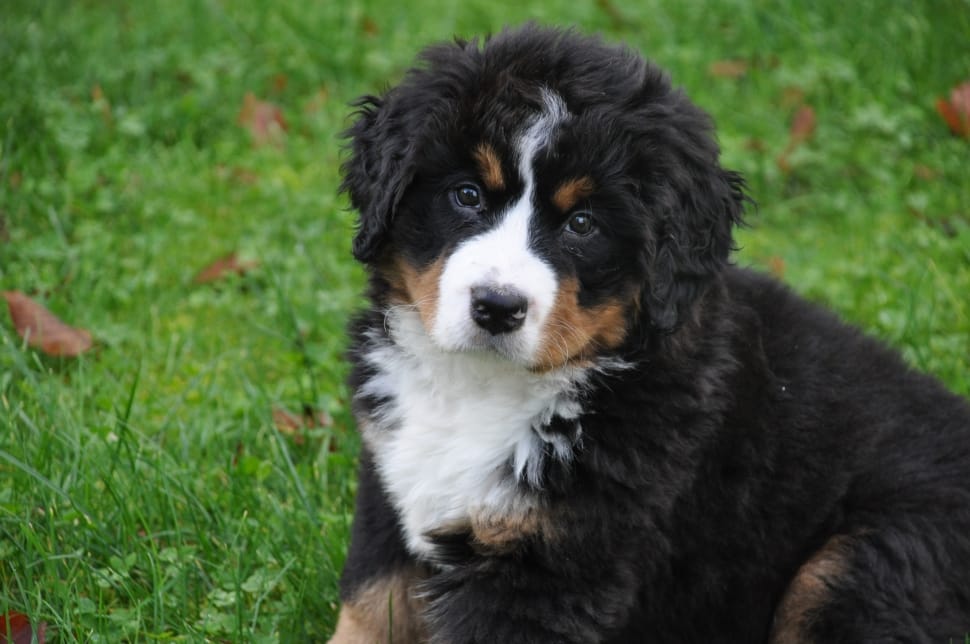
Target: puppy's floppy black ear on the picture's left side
x,y
378,170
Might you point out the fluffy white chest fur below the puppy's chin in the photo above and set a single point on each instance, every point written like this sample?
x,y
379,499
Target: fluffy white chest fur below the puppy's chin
x,y
459,429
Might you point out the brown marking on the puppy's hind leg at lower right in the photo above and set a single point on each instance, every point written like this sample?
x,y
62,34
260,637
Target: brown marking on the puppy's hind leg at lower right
x,y
808,591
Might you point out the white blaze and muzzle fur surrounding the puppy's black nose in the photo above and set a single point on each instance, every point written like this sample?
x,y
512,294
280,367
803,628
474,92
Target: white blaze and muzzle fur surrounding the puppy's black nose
x,y
502,258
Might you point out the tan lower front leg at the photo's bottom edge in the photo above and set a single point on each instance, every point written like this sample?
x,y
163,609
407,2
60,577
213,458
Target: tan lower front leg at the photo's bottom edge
x,y
384,611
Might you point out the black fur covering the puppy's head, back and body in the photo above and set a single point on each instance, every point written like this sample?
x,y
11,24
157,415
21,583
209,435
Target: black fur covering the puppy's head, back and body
x,y
753,428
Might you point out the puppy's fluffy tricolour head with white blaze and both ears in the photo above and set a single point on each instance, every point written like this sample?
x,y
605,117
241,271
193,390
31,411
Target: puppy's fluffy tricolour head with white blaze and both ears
x,y
538,195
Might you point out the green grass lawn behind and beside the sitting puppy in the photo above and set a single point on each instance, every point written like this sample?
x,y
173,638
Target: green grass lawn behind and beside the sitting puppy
x,y
145,491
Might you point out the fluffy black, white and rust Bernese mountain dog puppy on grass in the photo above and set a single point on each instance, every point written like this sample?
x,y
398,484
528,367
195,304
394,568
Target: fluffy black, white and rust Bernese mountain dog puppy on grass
x,y
581,423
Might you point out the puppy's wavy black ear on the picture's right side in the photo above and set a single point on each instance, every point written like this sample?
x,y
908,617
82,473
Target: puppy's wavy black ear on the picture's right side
x,y
697,207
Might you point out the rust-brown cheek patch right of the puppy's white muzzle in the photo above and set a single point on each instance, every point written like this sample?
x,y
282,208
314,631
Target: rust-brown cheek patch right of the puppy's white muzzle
x,y
574,335
